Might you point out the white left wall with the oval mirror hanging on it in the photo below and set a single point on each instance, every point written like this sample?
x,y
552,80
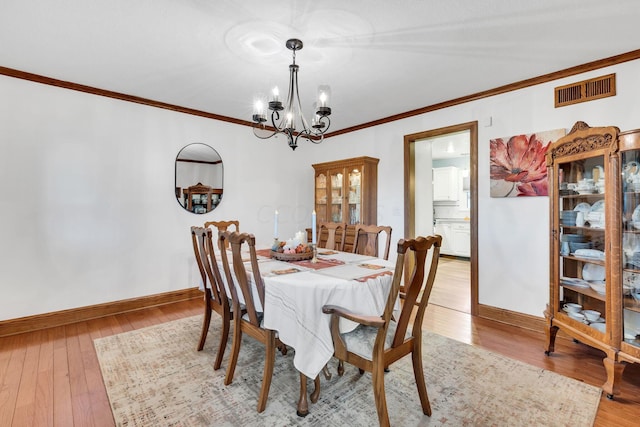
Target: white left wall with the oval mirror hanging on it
x,y
89,213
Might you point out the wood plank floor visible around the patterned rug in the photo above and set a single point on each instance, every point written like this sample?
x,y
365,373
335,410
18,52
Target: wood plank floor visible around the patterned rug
x,y
52,378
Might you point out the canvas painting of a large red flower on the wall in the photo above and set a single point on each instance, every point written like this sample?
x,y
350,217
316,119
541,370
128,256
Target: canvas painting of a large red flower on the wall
x,y
518,167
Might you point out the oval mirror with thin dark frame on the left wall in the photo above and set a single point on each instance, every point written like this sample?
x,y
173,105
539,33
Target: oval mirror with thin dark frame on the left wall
x,y
199,176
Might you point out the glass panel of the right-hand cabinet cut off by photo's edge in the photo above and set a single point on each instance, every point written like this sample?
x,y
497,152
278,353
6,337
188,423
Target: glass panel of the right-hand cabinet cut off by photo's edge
x,y
630,162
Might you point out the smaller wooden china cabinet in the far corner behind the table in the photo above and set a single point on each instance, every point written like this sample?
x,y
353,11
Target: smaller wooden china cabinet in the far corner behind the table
x,y
347,191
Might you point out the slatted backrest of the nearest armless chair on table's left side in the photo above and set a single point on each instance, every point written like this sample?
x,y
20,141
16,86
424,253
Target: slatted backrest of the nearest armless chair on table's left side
x,y
238,280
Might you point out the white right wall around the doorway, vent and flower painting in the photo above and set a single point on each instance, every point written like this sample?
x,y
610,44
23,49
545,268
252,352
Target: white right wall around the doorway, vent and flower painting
x,y
513,233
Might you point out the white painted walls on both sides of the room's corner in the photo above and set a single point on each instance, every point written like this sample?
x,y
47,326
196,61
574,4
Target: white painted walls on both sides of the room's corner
x,y
90,216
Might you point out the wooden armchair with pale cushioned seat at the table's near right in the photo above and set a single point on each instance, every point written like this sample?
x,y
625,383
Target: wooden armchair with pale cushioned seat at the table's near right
x,y
381,340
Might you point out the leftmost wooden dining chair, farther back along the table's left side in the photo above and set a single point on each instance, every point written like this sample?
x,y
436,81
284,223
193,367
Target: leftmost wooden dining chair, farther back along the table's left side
x,y
215,296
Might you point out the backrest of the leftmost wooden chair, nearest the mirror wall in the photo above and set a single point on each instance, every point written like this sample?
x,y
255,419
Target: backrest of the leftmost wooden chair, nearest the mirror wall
x,y
203,249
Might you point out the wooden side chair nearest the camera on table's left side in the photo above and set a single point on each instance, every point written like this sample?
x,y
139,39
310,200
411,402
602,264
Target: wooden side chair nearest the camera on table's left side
x,y
251,322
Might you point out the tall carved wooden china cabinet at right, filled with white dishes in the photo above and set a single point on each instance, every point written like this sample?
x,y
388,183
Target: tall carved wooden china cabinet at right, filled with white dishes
x,y
595,244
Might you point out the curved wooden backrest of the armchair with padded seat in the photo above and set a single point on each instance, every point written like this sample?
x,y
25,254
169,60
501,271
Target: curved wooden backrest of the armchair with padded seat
x,y
418,288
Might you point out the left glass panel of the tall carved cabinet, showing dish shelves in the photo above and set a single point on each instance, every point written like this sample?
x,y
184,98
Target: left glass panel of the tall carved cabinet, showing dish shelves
x,y
581,217
